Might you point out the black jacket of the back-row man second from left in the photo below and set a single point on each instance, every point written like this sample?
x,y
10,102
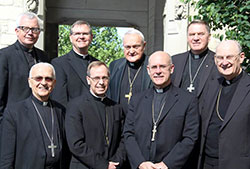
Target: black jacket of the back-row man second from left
x,y
70,77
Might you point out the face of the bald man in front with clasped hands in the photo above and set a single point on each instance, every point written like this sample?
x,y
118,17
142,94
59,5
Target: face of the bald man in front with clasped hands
x,y
159,69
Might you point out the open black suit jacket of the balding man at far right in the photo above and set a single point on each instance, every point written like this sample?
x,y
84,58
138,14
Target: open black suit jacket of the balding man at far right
x,y
234,135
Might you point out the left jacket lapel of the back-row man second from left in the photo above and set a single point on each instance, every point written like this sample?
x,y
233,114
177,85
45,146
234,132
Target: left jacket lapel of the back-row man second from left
x,y
79,68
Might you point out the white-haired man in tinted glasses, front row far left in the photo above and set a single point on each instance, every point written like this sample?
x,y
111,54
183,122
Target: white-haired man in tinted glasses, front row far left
x,y
33,129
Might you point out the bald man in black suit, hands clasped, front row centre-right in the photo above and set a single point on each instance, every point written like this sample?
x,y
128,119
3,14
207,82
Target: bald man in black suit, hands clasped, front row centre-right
x,y
162,123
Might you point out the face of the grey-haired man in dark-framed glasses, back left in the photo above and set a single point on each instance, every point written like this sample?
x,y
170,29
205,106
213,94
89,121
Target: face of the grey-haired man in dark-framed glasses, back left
x,y
28,39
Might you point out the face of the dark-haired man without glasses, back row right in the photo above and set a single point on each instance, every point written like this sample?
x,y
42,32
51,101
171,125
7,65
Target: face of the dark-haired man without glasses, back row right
x,y
198,38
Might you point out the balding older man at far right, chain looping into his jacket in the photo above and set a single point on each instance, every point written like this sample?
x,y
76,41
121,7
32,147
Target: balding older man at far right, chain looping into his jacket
x,y
225,112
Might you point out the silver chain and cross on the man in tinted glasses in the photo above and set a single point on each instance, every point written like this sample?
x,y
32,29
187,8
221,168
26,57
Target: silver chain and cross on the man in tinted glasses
x,y
52,146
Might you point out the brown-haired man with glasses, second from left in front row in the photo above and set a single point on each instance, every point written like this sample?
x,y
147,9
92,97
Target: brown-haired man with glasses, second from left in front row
x,y
94,125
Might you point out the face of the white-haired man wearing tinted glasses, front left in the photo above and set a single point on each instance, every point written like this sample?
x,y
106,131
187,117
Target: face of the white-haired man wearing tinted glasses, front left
x,y
42,82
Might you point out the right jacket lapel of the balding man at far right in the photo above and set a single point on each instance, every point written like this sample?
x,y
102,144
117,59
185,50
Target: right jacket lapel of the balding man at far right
x,y
240,93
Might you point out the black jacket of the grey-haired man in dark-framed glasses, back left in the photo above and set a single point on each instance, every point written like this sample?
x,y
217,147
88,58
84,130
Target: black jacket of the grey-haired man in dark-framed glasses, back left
x,y
14,73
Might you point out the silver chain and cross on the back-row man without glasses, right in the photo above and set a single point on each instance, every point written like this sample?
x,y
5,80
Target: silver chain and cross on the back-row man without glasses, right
x,y
192,79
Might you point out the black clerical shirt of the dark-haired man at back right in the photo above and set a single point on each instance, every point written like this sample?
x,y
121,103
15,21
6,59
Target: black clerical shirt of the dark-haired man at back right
x,y
196,60
